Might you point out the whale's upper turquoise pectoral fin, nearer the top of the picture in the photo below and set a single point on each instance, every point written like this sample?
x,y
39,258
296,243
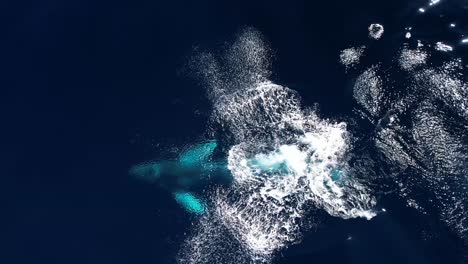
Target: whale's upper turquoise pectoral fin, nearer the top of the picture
x,y
198,154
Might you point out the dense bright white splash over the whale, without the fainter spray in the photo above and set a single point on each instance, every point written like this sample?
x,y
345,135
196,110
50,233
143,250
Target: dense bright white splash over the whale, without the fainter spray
x,y
271,203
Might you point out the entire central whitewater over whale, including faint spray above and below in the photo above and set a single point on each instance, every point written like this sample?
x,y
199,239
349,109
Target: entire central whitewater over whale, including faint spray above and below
x,y
282,157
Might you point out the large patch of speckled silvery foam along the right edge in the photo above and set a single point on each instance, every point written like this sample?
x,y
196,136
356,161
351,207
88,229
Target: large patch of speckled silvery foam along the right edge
x,y
430,139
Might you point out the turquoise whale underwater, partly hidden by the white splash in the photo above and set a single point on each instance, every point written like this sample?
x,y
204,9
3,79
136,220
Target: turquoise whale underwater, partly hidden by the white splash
x,y
196,168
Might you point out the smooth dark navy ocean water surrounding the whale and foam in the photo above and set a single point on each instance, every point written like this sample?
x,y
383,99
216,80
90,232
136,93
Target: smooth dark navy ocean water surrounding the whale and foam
x,y
94,87
